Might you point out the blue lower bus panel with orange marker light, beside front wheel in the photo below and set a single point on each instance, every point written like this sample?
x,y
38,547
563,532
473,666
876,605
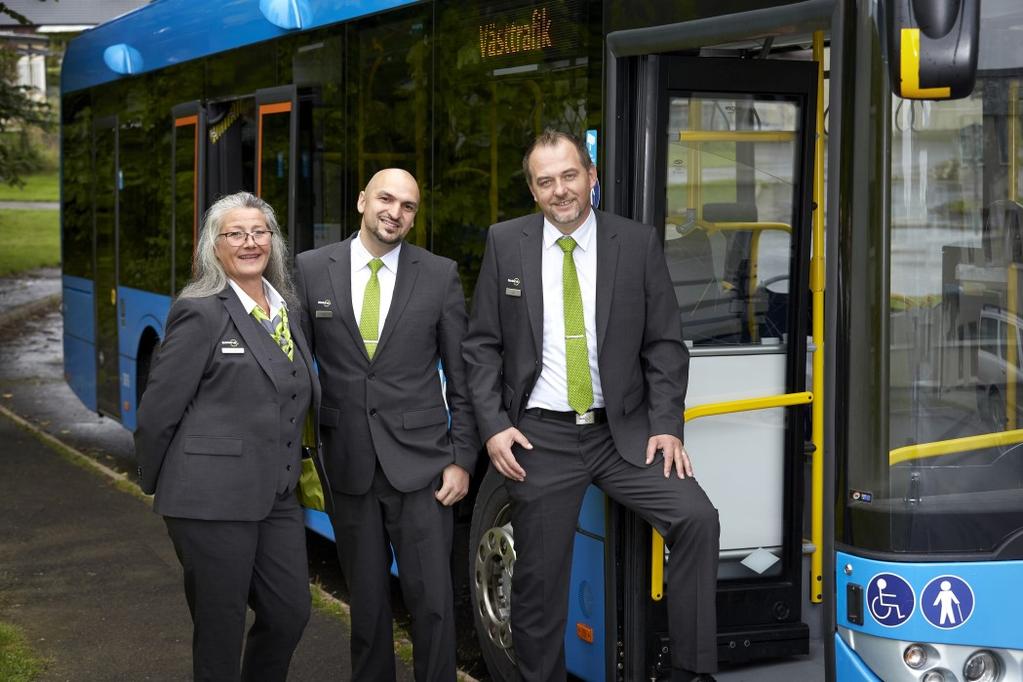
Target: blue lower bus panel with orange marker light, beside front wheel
x,y
585,636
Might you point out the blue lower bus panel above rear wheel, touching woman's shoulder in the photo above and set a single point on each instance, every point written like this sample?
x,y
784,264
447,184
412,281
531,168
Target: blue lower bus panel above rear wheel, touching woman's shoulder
x,y
138,311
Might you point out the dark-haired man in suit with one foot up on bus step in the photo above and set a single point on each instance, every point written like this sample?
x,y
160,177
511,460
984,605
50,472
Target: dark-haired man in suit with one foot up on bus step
x,y
579,375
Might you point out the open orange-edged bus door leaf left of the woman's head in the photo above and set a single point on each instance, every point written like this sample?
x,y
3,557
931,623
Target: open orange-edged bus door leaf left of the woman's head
x,y
187,179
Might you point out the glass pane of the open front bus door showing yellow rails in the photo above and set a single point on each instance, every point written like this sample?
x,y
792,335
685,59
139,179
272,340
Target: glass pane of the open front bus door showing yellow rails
x,y
732,163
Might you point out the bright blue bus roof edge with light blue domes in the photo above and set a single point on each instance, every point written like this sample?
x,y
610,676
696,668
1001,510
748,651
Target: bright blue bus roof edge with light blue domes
x,y
170,32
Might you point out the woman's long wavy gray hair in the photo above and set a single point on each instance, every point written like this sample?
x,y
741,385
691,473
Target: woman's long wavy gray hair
x,y
208,274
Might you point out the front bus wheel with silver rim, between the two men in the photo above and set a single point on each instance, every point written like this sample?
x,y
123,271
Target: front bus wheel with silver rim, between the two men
x,y
493,542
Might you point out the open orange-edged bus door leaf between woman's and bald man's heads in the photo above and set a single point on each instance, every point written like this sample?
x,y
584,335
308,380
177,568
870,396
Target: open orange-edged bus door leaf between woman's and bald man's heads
x,y
277,142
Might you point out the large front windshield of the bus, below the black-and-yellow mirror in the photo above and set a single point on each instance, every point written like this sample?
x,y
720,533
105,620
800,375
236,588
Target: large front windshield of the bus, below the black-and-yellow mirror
x,y
951,477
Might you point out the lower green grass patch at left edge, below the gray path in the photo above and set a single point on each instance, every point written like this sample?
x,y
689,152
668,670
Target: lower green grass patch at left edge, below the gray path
x,y
31,240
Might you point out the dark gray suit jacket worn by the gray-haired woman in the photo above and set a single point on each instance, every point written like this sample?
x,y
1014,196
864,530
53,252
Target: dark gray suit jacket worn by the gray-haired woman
x,y
213,440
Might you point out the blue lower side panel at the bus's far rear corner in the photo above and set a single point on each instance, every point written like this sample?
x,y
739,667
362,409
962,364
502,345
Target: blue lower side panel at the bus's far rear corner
x,y
80,340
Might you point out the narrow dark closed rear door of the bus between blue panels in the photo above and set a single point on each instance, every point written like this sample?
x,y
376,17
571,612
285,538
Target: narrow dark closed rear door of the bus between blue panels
x,y
107,179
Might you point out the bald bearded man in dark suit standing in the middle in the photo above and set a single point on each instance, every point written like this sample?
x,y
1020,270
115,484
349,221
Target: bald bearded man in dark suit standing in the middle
x,y
380,314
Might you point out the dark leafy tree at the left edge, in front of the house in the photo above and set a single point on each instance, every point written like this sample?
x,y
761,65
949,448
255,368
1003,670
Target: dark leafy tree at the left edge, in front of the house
x,y
20,113
